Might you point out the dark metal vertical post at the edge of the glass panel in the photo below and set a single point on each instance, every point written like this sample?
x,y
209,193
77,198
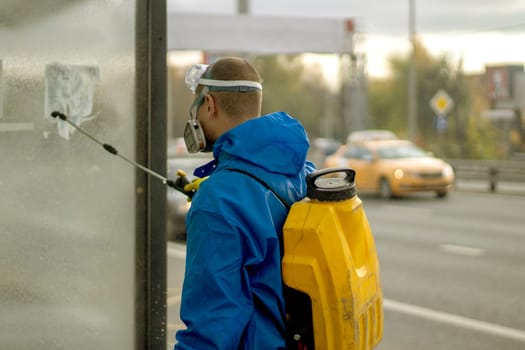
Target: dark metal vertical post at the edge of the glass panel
x,y
150,95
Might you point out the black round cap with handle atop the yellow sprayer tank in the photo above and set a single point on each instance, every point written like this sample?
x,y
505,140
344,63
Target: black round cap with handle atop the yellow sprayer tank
x,y
331,184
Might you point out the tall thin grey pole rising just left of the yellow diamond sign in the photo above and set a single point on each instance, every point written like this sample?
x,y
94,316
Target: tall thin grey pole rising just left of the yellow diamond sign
x,y
412,78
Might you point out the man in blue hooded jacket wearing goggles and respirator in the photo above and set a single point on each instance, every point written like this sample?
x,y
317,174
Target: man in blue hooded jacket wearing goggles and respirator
x,y
232,296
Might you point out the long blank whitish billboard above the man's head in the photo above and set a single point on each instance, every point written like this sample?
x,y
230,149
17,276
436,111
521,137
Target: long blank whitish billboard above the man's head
x,y
258,34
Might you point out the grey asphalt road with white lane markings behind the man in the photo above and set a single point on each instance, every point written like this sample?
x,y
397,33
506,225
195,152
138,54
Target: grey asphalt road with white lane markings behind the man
x,y
451,270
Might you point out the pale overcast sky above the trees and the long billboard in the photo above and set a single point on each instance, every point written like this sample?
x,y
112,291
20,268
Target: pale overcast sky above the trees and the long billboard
x,y
477,32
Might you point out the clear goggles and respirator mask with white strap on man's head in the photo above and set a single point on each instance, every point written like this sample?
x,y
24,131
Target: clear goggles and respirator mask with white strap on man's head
x,y
198,75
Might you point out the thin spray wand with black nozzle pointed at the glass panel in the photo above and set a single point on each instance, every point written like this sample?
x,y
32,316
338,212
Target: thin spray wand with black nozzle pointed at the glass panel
x,y
177,184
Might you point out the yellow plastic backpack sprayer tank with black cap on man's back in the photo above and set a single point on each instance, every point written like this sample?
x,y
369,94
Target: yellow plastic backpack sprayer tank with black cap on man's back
x,y
330,262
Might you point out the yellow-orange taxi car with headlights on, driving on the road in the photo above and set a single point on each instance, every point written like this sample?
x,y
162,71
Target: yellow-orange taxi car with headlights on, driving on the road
x,y
393,168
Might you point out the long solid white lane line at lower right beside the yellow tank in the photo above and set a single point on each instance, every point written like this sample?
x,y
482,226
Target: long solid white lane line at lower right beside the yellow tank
x,y
455,320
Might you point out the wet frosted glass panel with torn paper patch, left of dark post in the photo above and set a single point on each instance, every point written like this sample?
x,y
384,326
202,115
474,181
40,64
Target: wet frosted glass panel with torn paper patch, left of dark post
x,y
67,206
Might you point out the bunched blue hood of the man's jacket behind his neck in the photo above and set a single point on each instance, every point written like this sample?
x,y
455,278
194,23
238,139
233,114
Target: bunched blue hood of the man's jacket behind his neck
x,y
275,142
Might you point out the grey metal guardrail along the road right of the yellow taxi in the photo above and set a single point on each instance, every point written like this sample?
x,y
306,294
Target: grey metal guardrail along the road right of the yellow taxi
x,y
492,172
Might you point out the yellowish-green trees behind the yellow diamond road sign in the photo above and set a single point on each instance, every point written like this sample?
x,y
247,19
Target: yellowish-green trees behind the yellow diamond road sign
x,y
465,137
